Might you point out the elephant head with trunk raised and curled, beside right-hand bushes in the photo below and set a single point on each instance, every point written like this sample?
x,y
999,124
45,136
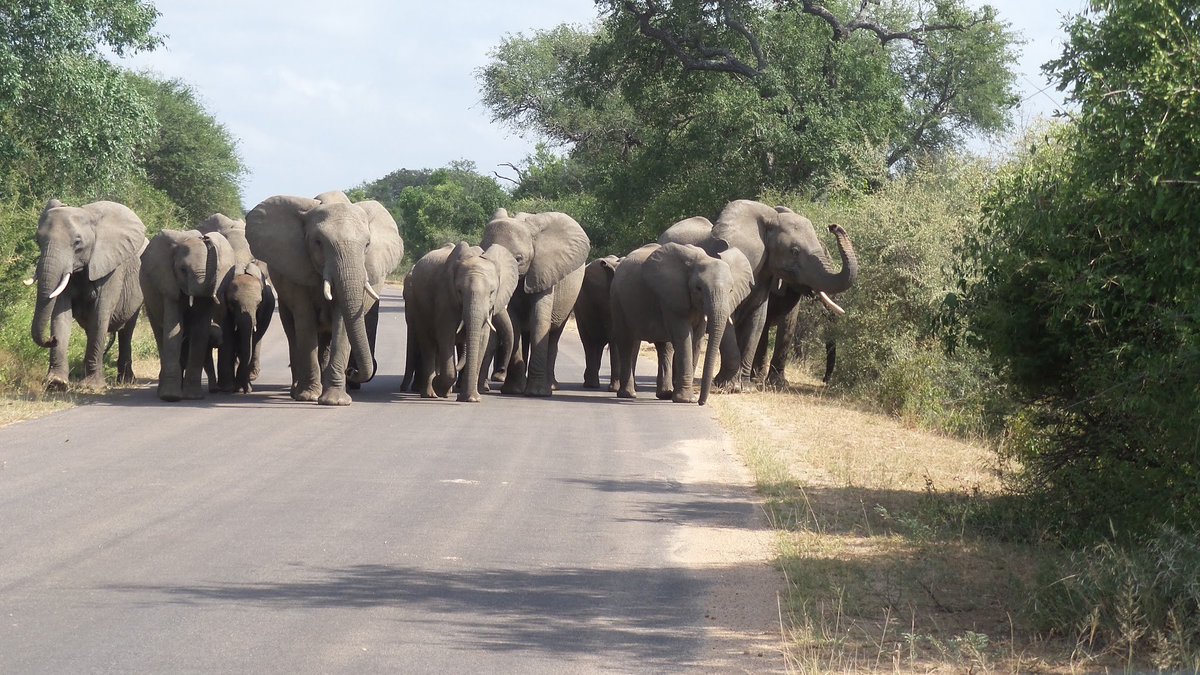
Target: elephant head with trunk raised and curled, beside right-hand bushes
x,y
781,243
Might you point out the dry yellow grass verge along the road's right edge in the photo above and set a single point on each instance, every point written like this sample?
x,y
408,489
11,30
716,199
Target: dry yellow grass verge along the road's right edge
x,y
883,566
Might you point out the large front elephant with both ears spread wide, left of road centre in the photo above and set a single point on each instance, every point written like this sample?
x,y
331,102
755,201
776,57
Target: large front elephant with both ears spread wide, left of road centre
x,y
338,250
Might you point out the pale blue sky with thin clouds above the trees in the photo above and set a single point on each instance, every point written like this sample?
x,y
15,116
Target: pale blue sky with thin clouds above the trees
x,y
329,95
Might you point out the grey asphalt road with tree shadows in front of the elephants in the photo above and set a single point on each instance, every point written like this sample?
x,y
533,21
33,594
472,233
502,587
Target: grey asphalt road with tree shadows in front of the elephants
x,y
255,534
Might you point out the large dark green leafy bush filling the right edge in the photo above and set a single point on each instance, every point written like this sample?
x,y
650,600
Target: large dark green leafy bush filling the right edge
x,y
1083,283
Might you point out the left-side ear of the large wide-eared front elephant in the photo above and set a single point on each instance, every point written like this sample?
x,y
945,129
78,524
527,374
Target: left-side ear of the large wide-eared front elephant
x,y
277,234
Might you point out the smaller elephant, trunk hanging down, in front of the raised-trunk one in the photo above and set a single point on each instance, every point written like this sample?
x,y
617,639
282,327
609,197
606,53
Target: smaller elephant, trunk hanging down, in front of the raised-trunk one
x,y
670,294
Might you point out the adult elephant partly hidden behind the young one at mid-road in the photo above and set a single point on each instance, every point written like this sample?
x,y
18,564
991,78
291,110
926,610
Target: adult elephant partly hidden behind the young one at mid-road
x,y
551,250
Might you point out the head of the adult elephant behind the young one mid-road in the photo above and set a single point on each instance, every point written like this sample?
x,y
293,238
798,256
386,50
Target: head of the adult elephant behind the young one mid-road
x,y
547,247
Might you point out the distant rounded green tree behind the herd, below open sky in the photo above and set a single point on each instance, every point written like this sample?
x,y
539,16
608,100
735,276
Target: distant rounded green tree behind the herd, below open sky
x,y
453,206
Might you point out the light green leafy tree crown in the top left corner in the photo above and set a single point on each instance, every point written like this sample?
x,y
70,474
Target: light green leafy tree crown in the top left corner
x,y
69,120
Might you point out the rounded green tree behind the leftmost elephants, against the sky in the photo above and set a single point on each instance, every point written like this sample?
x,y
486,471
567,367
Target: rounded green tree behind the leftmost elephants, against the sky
x,y
191,158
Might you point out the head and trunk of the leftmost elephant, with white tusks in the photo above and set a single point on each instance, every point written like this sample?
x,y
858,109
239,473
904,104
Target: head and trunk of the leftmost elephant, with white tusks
x,y
95,238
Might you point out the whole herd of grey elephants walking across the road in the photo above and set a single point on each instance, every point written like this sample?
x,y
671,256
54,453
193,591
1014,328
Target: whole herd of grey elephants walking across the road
x,y
506,301
